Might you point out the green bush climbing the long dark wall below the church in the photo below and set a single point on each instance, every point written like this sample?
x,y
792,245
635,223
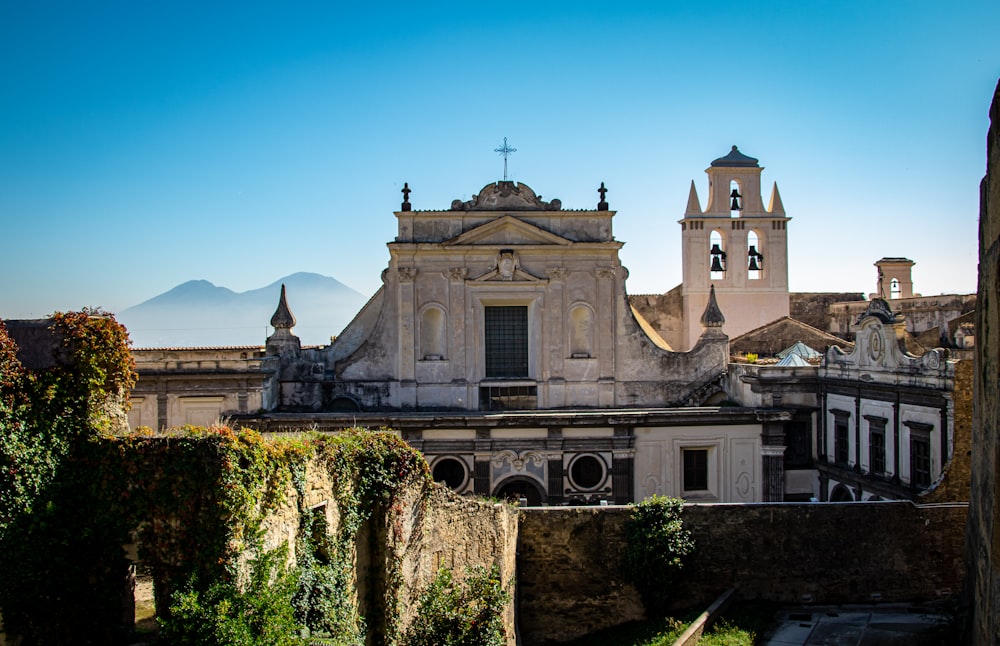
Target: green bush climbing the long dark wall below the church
x,y
656,545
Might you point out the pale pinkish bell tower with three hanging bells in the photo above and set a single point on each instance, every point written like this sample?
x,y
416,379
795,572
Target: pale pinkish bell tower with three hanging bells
x,y
736,245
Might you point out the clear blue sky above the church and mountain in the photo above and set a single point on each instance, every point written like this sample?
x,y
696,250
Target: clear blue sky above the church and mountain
x,y
145,143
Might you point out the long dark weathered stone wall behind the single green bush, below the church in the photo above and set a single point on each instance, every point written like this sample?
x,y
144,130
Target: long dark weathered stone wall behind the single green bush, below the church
x,y
569,583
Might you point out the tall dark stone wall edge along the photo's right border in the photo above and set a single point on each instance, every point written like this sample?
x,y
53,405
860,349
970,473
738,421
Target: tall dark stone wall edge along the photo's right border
x,y
983,543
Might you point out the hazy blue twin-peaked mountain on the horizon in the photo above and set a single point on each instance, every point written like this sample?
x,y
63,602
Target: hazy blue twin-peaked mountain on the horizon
x,y
199,314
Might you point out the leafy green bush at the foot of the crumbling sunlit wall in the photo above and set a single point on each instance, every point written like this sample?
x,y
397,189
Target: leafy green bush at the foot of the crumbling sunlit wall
x,y
468,613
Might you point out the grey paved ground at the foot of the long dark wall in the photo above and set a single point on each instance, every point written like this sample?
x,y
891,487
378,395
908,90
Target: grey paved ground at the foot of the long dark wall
x,y
882,625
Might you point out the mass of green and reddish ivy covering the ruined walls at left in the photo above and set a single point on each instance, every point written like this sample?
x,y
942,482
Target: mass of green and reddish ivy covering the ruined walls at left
x,y
73,493
